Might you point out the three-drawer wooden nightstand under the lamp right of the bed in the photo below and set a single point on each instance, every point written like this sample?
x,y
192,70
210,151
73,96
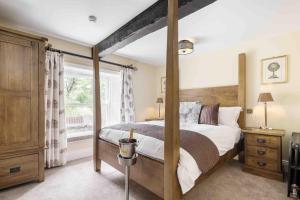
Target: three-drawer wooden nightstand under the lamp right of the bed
x,y
263,152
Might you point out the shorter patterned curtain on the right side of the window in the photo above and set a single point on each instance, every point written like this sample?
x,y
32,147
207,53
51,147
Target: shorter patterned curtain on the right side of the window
x,y
127,105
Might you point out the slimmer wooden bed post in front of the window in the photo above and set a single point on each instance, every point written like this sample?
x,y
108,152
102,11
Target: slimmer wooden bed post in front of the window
x,y
97,108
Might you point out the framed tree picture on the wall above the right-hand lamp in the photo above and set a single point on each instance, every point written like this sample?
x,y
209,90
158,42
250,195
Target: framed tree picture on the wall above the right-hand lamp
x,y
274,70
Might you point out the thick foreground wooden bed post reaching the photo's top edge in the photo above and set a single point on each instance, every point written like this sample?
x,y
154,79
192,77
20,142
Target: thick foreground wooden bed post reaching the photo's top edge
x,y
171,145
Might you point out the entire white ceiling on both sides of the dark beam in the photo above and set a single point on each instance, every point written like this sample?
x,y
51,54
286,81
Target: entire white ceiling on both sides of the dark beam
x,y
219,25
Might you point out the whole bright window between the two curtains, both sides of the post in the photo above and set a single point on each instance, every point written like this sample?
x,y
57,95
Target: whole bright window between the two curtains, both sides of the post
x,y
78,86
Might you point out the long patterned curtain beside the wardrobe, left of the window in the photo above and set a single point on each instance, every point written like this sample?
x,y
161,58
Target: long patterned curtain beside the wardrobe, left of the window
x,y
55,134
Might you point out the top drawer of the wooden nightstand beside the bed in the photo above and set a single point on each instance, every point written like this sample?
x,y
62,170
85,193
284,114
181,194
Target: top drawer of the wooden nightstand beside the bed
x,y
263,140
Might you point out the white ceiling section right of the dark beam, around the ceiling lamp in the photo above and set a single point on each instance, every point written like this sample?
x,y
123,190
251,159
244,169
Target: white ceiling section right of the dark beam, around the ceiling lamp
x,y
219,25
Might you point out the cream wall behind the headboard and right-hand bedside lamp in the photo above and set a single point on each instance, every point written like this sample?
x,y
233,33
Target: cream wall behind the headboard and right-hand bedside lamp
x,y
220,68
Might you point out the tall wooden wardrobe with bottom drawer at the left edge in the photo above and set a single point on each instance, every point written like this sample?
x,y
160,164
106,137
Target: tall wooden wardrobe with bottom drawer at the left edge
x,y
22,59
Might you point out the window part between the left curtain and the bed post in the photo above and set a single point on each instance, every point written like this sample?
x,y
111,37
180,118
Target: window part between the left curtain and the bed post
x,y
78,101
